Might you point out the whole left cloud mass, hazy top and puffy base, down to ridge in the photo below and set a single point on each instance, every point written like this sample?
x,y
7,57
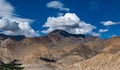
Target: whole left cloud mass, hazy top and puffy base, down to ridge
x,y
13,25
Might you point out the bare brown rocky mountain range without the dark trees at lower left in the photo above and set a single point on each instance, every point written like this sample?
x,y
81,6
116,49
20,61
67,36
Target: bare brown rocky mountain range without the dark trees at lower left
x,y
61,50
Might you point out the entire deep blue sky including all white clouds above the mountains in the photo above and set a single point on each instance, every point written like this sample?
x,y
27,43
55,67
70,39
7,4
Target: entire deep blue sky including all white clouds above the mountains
x,y
39,17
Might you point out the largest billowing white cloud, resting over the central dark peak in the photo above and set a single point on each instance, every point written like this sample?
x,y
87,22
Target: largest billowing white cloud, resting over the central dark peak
x,y
71,23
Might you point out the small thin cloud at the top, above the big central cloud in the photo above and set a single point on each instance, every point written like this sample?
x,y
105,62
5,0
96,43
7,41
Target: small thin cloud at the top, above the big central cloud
x,y
57,5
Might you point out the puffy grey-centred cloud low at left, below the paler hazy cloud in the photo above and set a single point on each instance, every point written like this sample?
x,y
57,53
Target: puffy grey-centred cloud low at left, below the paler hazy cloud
x,y
16,27
